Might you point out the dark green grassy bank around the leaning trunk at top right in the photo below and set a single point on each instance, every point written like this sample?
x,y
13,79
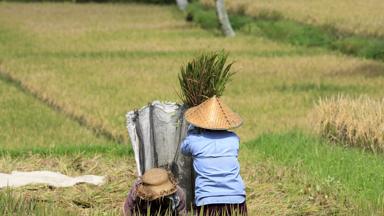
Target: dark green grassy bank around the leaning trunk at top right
x,y
277,28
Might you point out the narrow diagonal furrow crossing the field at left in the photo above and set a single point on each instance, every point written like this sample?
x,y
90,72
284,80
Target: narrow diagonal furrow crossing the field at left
x,y
96,128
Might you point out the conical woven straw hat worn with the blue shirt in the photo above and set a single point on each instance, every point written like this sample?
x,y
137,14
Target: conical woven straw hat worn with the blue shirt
x,y
213,114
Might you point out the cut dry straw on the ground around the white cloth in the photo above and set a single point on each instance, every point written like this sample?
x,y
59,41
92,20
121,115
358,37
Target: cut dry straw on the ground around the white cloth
x,y
82,199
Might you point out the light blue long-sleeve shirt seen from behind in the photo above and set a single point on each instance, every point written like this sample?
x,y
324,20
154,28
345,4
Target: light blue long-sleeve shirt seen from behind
x,y
216,166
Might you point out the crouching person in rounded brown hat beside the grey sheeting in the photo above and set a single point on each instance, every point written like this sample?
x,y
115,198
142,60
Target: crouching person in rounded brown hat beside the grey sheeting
x,y
155,193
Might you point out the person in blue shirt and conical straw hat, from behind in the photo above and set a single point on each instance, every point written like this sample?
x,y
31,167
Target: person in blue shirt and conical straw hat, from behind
x,y
219,189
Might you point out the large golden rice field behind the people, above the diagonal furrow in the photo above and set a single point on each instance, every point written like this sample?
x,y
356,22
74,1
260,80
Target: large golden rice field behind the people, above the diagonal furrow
x,y
98,64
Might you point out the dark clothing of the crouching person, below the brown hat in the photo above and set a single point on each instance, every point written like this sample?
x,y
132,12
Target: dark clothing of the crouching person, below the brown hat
x,y
134,205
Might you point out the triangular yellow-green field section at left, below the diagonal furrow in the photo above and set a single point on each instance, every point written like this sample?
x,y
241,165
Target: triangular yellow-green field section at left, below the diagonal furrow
x,y
26,123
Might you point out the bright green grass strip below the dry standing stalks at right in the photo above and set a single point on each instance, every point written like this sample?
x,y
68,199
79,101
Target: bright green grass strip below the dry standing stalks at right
x,y
360,173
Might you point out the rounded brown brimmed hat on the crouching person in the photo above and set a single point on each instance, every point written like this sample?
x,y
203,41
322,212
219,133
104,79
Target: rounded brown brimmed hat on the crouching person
x,y
156,183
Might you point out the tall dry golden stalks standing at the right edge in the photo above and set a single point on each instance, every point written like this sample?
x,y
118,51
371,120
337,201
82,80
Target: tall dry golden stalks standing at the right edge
x,y
352,122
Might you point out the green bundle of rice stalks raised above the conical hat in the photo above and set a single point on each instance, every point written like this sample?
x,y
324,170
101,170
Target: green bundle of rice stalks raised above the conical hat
x,y
204,77
